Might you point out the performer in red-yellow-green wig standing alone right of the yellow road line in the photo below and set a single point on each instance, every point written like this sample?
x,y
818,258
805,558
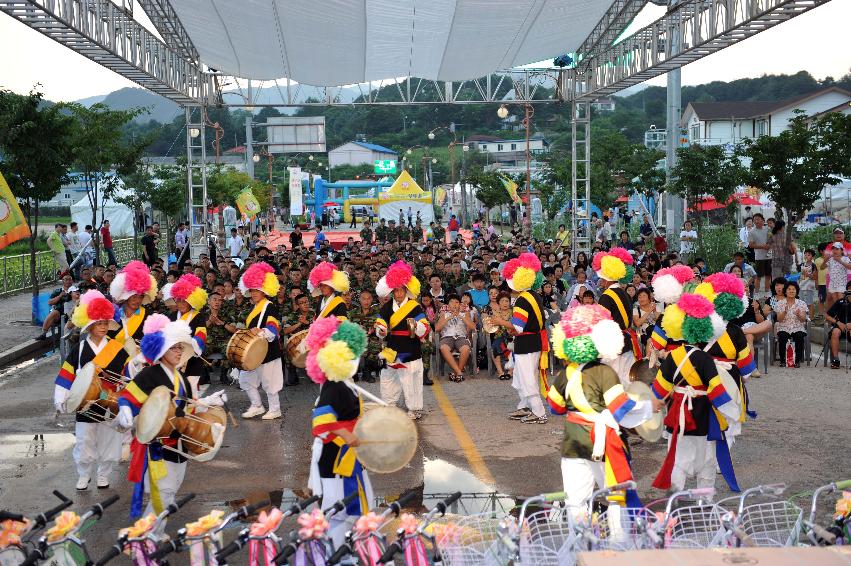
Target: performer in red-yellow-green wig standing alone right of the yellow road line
x,y
531,343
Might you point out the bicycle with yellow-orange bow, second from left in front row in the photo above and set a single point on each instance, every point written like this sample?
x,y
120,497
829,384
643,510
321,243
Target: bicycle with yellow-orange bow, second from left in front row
x,y
62,544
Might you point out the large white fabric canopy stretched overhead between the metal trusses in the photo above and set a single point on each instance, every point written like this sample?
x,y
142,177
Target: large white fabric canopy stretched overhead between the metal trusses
x,y
341,42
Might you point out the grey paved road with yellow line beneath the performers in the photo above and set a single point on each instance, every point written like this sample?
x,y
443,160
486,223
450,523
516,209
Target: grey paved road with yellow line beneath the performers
x,y
801,438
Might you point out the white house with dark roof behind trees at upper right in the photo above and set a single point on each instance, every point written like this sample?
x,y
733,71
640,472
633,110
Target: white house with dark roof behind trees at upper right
x,y
721,123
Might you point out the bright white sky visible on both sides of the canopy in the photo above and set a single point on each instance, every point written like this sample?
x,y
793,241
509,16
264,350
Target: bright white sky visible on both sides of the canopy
x,y
816,41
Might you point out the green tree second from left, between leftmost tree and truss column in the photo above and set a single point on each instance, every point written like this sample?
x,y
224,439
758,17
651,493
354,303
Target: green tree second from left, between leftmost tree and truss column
x,y
102,153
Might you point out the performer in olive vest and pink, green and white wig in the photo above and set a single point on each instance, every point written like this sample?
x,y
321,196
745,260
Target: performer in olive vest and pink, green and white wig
x,y
596,406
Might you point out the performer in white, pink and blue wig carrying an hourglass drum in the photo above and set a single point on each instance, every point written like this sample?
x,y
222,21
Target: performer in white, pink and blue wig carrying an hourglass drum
x,y
156,468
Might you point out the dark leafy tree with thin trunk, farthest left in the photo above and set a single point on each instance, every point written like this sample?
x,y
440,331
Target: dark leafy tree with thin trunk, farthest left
x,y
36,147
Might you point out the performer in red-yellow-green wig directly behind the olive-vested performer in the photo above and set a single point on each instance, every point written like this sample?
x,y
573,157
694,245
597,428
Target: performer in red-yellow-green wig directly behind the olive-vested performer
x,y
614,267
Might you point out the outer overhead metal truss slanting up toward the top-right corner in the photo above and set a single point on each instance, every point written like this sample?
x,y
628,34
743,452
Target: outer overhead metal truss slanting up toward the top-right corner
x,y
690,31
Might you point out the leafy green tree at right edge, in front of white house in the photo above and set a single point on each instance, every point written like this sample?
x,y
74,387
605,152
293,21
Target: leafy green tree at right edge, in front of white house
x,y
794,166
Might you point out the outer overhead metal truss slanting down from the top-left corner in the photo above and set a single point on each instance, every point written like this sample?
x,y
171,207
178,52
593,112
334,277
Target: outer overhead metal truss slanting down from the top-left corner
x,y
107,34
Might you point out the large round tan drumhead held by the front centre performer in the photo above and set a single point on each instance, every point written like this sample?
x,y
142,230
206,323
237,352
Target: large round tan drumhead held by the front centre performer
x,y
388,439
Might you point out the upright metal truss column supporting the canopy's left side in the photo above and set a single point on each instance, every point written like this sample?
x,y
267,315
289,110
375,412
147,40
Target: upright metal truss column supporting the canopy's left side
x,y
196,178
